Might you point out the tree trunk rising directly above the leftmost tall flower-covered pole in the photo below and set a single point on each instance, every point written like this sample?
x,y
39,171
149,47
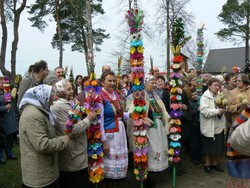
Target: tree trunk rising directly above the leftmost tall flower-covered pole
x,y
90,53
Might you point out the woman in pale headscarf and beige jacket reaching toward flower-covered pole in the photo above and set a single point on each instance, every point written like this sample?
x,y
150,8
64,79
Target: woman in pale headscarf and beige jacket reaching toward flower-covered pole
x,y
73,160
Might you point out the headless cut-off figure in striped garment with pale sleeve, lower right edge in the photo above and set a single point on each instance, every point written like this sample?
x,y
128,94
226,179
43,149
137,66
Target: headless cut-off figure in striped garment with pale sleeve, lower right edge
x,y
238,151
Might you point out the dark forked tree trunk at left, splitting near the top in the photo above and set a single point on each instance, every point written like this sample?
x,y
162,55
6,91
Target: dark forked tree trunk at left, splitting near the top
x,y
17,14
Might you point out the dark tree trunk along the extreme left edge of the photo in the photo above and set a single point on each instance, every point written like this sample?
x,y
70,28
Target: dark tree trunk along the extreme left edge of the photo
x,y
4,41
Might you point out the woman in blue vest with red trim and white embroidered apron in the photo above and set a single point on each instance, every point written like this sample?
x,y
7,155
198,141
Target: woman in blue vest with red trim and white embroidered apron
x,y
115,147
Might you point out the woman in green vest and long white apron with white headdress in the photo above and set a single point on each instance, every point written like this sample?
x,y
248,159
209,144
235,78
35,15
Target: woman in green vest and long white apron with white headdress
x,y
157,119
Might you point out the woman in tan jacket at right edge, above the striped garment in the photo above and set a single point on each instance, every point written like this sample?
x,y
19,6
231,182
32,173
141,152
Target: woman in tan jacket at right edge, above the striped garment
x,y
238,95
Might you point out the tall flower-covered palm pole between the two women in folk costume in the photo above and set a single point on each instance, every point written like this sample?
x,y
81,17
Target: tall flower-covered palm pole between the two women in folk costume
x,y
135,20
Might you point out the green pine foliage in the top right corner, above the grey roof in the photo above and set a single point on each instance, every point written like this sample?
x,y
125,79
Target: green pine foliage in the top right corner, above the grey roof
x,y
234,14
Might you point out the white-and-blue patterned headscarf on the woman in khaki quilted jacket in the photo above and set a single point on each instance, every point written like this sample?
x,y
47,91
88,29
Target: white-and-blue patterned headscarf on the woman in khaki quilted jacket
x,y
39,96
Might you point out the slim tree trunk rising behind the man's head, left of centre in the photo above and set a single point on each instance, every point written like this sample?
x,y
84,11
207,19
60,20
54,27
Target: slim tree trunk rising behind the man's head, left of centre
x,y
59,32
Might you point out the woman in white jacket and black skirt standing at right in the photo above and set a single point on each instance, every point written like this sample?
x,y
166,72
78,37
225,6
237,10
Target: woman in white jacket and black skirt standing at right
x,y
212,124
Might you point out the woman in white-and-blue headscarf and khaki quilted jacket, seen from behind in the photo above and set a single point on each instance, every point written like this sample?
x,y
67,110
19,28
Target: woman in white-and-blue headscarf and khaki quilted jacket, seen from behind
x,y
38,142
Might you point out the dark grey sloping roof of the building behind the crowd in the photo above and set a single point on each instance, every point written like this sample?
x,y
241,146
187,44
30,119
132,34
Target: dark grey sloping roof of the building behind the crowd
x,y
226,57
